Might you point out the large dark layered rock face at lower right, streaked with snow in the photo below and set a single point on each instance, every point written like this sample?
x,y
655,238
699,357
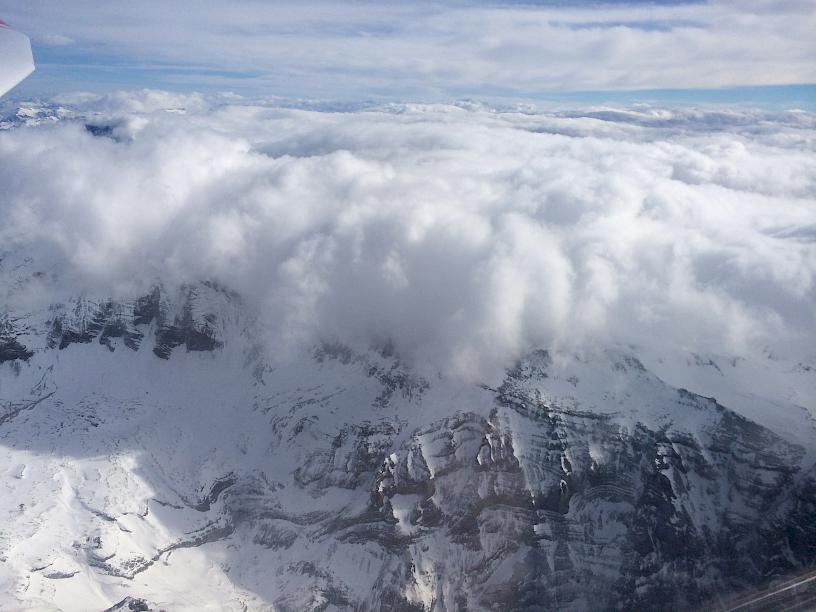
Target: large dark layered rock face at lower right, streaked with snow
x,y
536,506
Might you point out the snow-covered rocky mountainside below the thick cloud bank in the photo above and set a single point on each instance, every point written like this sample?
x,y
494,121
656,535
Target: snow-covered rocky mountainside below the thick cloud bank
x,y
156,460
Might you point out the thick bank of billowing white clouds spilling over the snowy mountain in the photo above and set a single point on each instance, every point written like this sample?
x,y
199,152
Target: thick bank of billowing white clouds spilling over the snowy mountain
x,y
464,234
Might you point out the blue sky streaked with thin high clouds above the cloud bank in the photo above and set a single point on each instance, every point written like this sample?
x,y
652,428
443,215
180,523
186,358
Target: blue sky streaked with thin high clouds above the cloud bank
x,y
753,52
